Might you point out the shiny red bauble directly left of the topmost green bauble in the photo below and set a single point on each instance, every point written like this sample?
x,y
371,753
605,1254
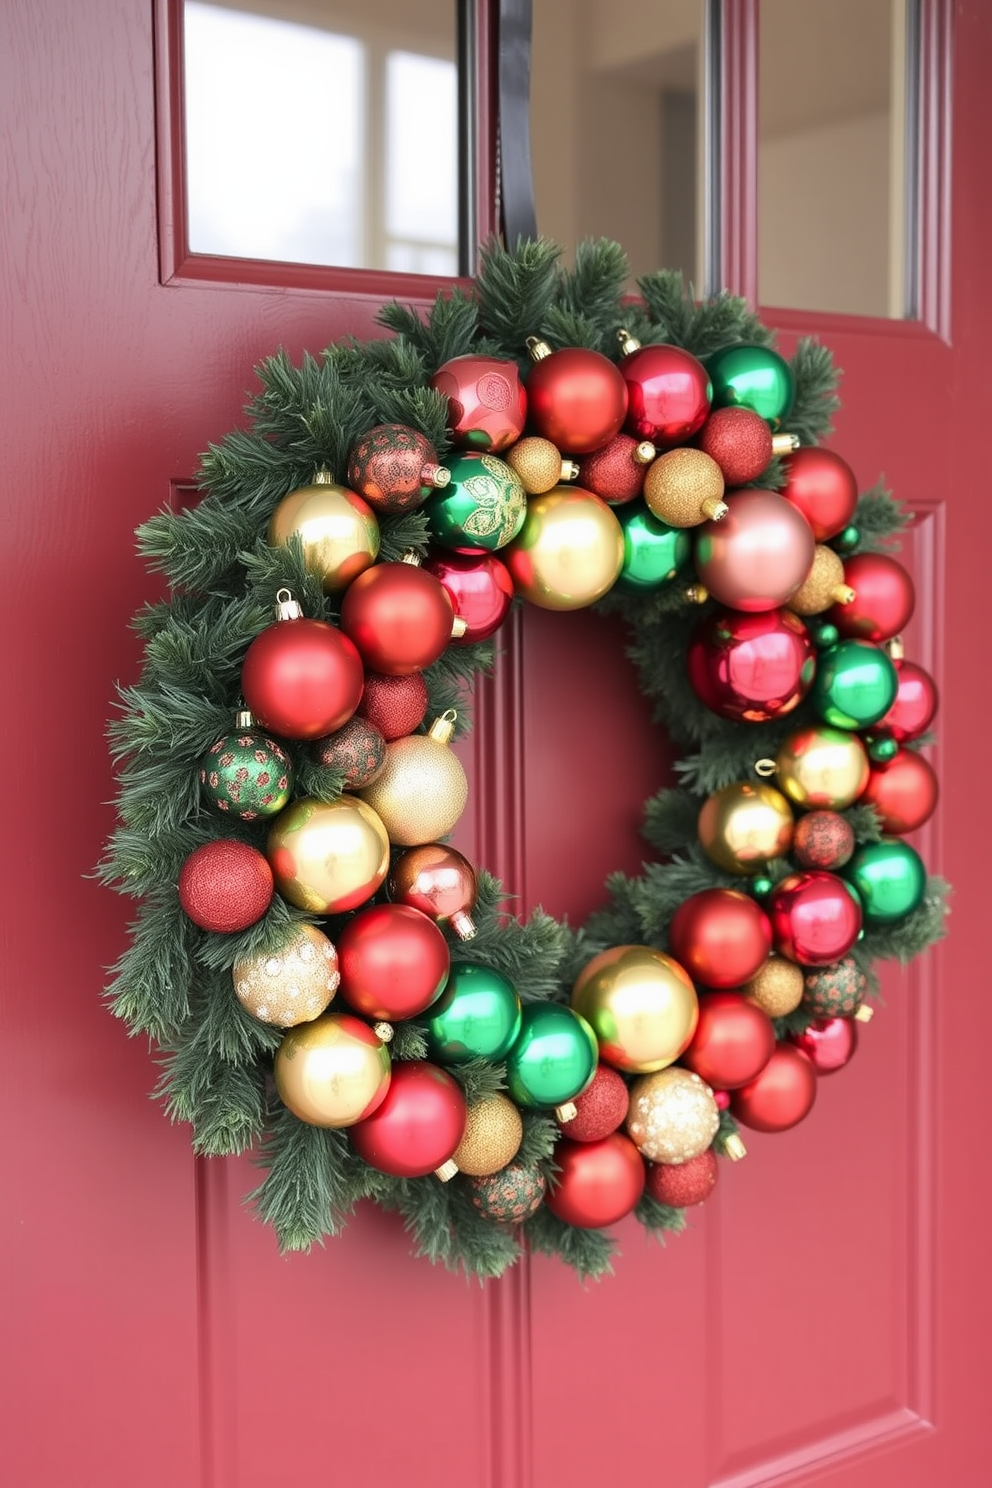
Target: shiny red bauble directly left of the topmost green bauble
x,y
669,395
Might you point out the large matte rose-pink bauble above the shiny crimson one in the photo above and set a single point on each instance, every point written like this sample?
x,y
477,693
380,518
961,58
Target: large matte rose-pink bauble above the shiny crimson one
x,y
758,556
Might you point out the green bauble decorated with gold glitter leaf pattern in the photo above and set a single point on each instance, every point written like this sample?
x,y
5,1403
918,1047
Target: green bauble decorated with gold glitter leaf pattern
x,y
481,510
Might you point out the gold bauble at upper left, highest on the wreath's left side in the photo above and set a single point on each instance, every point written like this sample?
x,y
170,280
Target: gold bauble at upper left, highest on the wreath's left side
x,y
338,530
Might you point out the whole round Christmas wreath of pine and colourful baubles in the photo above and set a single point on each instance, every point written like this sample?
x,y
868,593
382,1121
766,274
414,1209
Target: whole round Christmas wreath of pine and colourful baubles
x,y
325,977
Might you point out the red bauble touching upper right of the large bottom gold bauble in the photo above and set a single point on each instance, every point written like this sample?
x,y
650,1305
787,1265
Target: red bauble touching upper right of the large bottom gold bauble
x,y
721,937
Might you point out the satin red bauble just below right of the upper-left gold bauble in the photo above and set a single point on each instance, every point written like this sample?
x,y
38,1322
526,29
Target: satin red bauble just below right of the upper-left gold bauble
x,y
399,617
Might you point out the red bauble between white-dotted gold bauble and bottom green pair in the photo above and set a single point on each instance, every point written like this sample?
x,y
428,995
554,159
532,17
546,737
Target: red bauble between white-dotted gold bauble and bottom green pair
x,y
393,962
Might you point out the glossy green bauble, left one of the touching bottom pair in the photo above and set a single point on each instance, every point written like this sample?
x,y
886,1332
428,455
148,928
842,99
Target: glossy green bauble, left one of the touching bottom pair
x,y
478,1017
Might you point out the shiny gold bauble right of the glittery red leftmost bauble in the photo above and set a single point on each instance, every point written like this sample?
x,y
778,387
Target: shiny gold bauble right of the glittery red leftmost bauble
x,y
328,856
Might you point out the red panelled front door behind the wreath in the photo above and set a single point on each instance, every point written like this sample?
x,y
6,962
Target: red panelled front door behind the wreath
x,y
826,1316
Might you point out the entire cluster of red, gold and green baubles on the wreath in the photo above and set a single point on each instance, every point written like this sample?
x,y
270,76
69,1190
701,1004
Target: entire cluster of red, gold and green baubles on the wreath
x,y
591,474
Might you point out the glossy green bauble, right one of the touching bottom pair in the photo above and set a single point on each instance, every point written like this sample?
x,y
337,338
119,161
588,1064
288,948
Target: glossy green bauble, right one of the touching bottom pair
x,y
554,1059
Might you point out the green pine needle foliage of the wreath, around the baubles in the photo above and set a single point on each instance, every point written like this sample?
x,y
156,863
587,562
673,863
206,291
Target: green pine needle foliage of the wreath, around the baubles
x,y
173,983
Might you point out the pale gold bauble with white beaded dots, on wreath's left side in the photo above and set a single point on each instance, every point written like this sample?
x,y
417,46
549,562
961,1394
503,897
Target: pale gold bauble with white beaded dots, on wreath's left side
x,y
292,984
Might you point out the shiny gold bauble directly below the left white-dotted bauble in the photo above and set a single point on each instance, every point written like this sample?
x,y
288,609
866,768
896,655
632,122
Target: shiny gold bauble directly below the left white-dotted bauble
x,y
332,1072
